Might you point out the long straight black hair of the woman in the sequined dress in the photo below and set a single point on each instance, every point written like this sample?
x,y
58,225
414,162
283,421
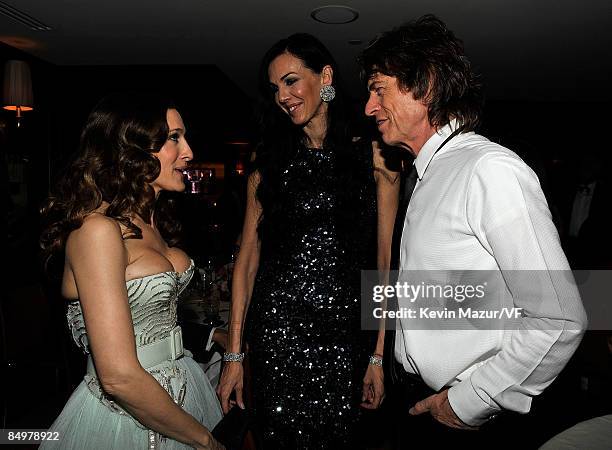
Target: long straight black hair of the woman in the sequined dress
x,y
280,138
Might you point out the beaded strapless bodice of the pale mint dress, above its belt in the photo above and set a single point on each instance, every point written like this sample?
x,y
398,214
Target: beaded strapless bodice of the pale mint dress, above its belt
x,y
153,301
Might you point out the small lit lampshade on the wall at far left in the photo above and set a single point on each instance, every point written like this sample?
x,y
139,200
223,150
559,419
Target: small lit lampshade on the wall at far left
x,y
17,87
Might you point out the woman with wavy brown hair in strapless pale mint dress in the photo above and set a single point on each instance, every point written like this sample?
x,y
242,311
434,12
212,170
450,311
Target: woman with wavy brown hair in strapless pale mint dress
x,y
122,277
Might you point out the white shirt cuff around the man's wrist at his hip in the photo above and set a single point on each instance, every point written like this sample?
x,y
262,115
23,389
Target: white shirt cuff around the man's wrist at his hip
x,y
469,406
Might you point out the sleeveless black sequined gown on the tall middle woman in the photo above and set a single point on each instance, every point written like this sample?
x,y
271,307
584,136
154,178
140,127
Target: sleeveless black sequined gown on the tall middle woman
x,y
308,353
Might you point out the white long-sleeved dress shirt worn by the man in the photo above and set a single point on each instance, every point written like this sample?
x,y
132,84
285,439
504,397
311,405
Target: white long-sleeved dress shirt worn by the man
x,y
478,206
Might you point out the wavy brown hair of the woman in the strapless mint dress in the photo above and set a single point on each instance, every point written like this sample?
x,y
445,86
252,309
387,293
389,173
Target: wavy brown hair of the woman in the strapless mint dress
x,y
113,164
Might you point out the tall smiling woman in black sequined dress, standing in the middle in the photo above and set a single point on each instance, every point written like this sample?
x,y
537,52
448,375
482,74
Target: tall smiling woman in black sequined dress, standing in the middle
x,y
310,228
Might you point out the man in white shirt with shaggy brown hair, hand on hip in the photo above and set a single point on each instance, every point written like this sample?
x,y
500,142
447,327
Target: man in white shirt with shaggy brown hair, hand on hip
x,y
476,206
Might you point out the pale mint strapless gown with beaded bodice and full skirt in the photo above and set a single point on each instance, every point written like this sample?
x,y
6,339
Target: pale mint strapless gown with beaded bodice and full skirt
x,y
92,420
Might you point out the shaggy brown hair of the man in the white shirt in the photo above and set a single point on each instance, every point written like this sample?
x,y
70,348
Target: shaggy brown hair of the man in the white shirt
x,y
429,61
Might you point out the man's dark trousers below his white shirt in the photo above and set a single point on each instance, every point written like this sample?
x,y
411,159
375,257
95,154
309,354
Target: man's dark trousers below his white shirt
x,y
508,430
